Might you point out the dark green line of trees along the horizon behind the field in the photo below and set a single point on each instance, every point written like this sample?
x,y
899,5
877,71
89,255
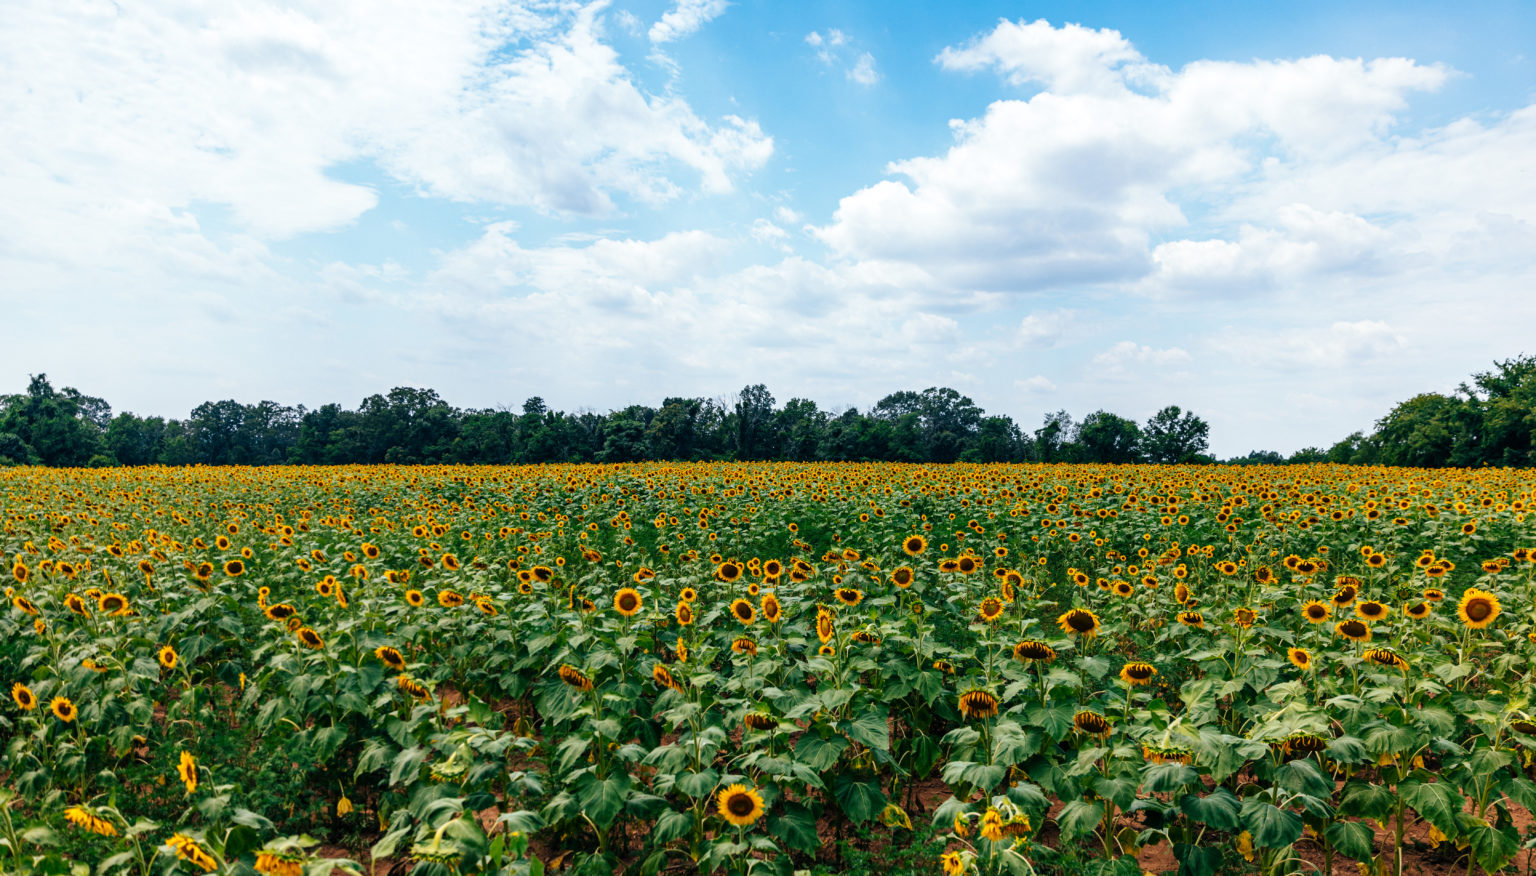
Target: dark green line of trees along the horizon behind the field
x,y
1488,422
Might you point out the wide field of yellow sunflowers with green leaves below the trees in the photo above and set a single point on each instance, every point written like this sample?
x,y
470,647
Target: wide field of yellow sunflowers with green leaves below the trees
x,y
767,669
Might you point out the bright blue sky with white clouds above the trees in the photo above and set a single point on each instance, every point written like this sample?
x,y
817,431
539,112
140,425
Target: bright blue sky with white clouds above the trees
x,y
1282,217
